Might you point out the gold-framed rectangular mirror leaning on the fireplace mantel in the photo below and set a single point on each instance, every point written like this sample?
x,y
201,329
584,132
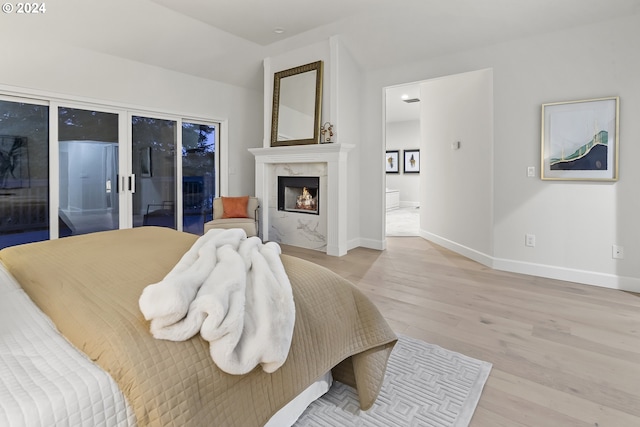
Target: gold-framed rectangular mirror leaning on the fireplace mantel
x,y
297,105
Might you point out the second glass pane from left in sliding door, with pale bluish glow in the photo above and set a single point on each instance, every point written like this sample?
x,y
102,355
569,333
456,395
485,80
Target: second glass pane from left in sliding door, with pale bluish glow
x,y
88,150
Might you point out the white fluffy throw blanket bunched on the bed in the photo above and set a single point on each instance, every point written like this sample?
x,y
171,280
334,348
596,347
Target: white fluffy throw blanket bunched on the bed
x,y
235,292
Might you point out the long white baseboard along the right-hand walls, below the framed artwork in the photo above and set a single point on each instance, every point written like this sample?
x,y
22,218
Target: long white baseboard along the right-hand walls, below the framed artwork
x,y
605,280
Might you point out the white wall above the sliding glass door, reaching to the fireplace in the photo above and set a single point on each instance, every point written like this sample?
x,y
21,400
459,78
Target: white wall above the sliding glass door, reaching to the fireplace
x,y
66,71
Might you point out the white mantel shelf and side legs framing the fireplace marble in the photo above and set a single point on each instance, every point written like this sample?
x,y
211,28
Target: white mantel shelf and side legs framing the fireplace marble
x,y
335,157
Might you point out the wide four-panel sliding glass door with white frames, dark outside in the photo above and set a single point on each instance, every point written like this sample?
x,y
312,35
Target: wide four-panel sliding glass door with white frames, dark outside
x,y
109,168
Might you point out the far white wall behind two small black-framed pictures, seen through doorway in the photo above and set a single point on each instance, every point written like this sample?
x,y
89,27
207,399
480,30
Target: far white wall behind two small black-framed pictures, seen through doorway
x,y
404,135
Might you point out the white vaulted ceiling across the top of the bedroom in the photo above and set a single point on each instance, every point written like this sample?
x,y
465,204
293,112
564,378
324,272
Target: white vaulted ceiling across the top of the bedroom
x,y
226,40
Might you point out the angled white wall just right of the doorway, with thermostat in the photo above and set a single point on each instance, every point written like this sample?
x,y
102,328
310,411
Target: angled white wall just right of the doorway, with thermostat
x,y
457,183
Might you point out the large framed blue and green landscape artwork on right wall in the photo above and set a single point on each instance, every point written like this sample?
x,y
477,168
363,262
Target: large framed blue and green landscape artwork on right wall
x,y
580,140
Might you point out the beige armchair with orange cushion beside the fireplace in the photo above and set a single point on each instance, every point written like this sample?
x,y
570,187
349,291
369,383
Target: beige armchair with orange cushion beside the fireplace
x,y
235,215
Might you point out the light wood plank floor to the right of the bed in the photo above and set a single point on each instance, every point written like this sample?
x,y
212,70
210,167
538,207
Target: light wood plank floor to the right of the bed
x,y
563,354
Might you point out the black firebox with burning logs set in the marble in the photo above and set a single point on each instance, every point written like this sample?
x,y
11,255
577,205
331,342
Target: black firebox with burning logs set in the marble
x,y
299,194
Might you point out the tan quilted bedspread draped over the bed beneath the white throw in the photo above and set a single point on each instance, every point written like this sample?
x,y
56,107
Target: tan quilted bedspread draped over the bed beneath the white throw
x,y
89,286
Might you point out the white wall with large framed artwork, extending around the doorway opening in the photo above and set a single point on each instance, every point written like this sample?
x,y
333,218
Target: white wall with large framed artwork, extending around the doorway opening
x,y
575,223
